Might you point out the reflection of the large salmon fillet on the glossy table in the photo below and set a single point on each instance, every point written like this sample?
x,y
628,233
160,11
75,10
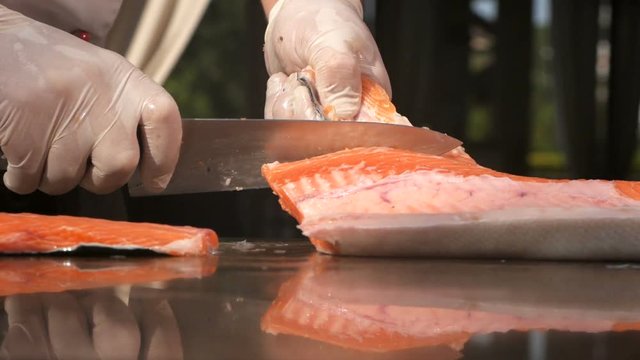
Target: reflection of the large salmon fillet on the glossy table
x,y
367,314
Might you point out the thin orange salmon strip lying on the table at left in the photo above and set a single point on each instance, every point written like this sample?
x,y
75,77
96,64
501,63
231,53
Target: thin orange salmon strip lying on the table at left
x,y
32,233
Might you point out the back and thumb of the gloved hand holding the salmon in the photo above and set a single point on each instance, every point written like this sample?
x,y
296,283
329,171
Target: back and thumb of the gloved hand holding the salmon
x,y
331,37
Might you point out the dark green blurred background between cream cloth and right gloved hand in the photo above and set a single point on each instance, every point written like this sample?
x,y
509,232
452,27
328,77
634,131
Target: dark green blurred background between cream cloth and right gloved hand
x,y
221,73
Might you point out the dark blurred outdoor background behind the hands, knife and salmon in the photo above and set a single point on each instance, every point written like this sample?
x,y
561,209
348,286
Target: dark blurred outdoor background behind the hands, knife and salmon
x,y
535,87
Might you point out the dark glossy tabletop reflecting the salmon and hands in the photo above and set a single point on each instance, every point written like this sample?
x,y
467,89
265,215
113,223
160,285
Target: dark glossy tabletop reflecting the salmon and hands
x,y
280,300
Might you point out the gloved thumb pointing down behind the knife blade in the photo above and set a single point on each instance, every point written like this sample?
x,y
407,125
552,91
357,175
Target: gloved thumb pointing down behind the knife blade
x,y
339,83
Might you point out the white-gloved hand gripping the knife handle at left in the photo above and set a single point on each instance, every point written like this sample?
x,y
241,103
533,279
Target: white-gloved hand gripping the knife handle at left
x,y
69,113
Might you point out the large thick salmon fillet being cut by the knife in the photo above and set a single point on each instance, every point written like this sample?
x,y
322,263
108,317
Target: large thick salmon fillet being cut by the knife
x,y
388,202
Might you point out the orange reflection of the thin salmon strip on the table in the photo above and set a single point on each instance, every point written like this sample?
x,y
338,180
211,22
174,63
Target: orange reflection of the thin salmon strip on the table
x,y
30,276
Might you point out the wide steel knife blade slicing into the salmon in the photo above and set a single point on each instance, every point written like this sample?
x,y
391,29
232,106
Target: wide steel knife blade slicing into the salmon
x,y
227,154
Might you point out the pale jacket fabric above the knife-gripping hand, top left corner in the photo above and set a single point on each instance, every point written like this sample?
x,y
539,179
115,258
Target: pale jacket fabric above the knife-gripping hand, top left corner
x,y
93,16
